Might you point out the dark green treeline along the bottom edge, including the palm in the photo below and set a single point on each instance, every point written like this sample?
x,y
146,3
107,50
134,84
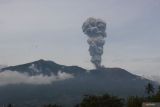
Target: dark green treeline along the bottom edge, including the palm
x,y
107,100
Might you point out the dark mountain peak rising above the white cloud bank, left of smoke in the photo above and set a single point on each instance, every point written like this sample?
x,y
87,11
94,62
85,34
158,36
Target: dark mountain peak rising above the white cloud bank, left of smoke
x,y
44,67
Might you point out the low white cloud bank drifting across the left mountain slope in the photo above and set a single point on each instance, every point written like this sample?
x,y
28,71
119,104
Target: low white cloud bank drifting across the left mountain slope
x,y
14,77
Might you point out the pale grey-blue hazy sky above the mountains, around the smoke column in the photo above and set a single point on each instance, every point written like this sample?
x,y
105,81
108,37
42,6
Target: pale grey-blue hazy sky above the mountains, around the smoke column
x,y
52,30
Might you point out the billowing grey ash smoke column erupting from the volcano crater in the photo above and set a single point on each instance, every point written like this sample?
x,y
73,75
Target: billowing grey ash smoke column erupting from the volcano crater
x,y
95,30
